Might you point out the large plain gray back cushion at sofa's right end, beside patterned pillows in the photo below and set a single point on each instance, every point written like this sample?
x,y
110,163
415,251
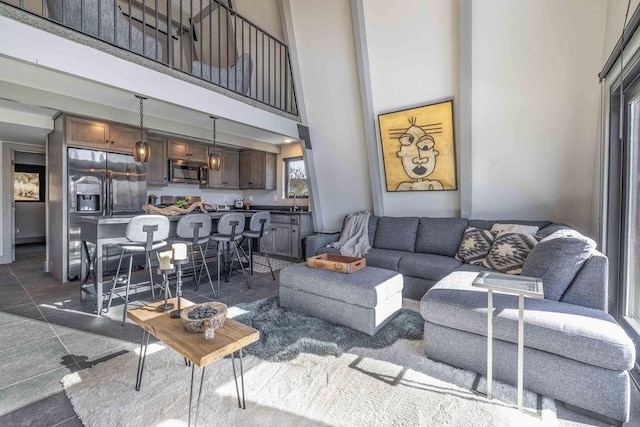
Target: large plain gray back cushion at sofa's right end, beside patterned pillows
x,y
556,260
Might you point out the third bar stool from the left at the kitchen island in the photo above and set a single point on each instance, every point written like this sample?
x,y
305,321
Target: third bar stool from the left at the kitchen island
x,y
230,228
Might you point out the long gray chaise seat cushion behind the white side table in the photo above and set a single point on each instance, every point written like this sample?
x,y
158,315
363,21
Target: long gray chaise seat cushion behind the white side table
x,y
584,334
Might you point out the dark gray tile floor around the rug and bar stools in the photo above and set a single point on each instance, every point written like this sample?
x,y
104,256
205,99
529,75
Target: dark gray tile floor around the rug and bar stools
x,y
46,332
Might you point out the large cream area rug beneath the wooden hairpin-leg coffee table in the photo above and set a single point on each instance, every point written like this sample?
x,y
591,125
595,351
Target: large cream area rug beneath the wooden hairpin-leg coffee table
x,y
323,381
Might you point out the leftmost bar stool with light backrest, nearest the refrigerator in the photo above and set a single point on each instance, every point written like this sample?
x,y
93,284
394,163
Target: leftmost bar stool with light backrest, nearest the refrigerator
x,y
144,233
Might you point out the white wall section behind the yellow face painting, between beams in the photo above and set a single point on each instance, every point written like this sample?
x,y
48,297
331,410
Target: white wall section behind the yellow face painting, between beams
x,y
413,59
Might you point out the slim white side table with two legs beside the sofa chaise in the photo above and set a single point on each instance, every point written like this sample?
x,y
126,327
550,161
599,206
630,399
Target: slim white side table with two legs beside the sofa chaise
x,y
510,284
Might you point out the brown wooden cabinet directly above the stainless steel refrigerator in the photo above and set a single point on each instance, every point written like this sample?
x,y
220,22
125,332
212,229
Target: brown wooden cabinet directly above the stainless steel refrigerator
x,y
100,136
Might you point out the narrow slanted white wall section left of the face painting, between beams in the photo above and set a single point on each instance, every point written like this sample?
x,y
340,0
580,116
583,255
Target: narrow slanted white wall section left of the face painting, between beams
x,y
326,54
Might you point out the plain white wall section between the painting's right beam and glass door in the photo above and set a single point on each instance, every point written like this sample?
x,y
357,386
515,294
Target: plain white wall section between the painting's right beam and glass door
x,y
535,102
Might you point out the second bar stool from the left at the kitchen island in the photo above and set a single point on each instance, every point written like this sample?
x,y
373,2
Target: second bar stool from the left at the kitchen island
x,y
194,231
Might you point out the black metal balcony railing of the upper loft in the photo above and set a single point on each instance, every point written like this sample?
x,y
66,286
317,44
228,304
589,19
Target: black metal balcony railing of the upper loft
x,y
204,38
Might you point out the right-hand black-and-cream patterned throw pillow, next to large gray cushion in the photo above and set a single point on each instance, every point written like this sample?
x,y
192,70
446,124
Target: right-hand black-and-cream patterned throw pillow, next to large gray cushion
x,y
509,251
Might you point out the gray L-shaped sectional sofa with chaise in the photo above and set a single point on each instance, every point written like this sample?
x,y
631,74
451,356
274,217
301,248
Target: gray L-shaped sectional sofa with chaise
x,y
575,352
